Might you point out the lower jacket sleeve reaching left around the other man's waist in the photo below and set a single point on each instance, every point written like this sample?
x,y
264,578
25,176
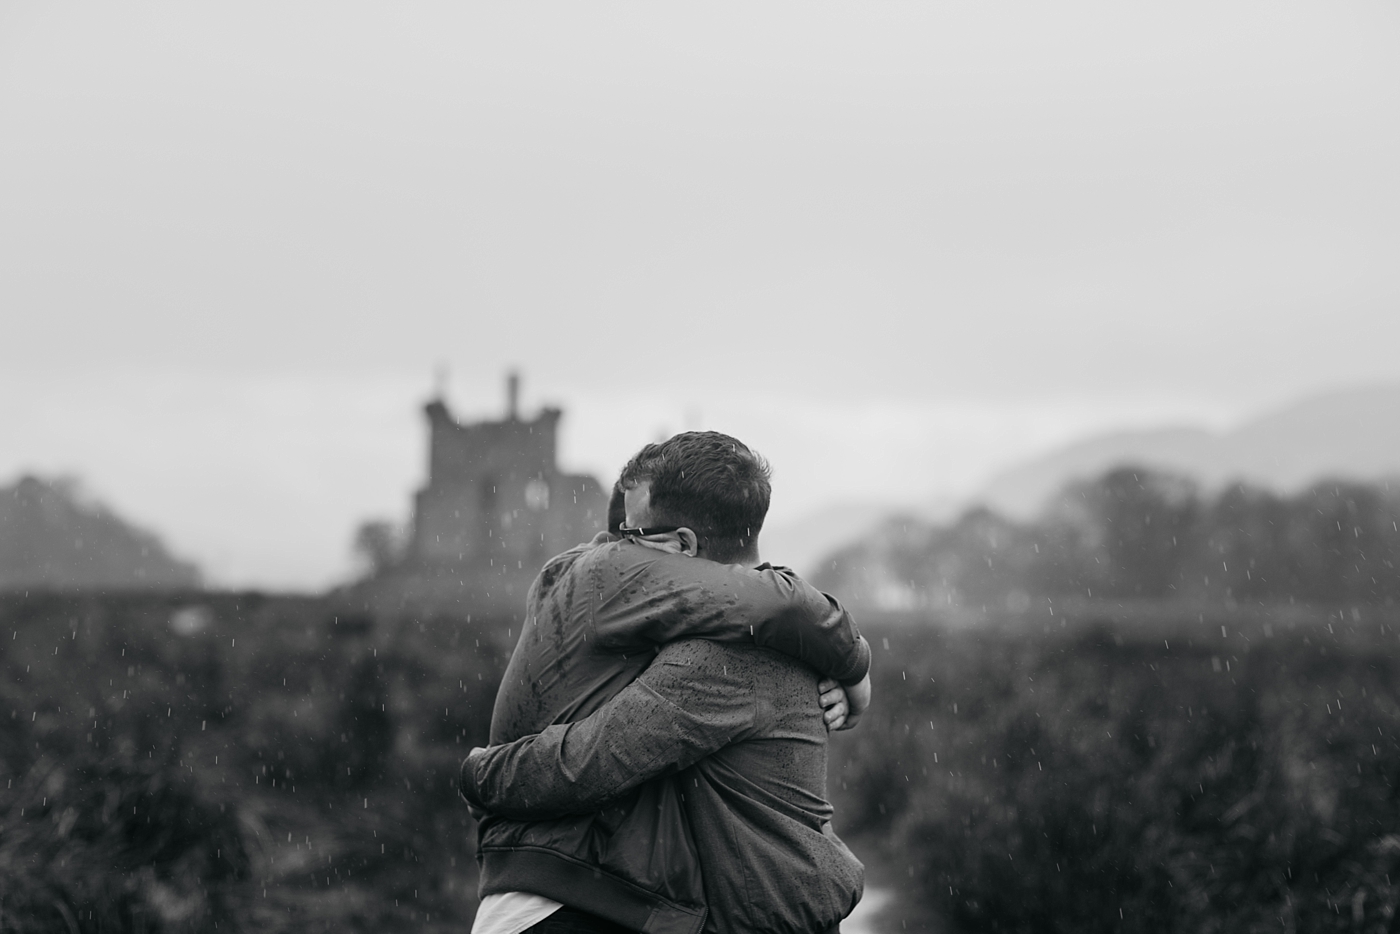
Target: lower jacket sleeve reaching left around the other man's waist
x,y
688,705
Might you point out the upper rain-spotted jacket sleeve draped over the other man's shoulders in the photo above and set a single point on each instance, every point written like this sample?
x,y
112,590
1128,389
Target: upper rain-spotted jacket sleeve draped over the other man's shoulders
x,y
646,599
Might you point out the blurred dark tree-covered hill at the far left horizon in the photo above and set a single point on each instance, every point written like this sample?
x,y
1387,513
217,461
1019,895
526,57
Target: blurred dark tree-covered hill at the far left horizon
x,y
52,538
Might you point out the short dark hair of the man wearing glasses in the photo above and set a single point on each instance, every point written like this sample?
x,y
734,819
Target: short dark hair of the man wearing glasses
x,y
709,482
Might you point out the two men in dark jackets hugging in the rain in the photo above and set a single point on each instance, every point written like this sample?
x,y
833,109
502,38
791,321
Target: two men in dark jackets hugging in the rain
x,y
659,757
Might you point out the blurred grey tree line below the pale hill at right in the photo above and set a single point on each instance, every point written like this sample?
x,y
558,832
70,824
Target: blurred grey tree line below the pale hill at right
x,y
1139,534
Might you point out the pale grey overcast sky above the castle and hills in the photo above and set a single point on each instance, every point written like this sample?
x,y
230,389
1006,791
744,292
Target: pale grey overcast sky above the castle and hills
x,y
894,247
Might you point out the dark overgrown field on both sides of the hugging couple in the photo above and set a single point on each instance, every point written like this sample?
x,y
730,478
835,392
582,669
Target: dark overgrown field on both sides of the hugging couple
x,y
243,762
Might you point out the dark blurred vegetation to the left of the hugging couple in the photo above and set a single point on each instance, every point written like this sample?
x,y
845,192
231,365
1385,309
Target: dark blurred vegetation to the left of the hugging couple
x,y
233,762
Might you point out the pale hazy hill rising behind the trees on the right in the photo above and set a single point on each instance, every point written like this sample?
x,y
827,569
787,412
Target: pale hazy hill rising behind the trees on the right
x,y
1346,435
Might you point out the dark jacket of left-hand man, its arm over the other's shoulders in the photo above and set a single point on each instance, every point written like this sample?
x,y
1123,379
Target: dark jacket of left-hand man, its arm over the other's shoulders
x,y
596,618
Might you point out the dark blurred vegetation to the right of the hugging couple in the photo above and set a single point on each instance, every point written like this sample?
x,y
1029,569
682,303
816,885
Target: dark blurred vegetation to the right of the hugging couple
x,y
1237,772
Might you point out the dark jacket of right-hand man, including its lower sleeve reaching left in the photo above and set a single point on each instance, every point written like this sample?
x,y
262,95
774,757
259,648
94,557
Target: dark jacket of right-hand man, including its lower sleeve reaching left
x,y
744,727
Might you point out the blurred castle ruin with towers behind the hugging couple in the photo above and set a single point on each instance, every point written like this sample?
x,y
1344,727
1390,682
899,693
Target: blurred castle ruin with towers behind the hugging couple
x,y
495,509
